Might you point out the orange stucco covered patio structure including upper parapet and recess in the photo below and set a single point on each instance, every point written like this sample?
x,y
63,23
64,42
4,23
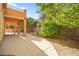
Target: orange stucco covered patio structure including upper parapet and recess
x,y
13,19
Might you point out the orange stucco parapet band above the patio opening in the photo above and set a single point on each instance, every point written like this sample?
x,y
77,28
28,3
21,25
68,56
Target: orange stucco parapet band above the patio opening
x,y
14,13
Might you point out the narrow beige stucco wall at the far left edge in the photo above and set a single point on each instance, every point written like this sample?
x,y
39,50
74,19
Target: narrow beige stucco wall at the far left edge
x,y
1,23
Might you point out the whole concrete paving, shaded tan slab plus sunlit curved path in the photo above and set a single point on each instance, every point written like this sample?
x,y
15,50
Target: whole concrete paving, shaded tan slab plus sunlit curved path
x,y
29,45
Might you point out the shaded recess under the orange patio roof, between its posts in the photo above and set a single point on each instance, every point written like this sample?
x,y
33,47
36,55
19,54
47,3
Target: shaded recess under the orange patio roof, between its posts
x,y
14,26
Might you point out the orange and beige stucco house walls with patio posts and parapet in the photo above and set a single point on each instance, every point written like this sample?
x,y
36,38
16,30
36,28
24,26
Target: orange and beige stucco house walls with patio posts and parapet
x,y
11,16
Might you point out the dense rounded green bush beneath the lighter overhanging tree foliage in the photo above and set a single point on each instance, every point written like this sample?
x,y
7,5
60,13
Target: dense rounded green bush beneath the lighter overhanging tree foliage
x,y
50,29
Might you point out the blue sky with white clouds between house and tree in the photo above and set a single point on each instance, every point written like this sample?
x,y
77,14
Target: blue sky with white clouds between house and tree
x,y
30,7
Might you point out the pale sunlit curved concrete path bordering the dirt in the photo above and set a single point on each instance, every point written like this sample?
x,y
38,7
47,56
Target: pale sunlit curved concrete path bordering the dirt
x,y
43,44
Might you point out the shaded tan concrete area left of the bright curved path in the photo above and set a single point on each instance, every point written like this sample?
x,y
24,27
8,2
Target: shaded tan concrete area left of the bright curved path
x,y
14,45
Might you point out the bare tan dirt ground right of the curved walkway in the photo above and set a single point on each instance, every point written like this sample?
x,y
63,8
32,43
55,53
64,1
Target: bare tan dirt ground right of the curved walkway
x,y
66,47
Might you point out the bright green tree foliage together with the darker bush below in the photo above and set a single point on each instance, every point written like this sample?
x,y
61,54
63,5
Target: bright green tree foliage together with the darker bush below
x,y
66,15
